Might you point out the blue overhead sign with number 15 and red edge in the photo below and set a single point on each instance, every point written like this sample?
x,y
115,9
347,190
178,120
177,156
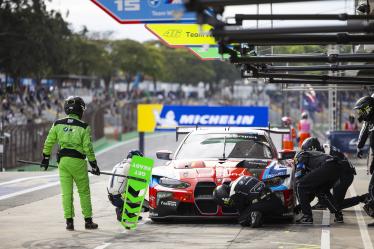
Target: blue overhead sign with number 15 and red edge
x,y
146,11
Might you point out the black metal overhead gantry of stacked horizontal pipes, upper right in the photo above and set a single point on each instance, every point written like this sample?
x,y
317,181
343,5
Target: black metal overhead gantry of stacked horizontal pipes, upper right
x,y
325,71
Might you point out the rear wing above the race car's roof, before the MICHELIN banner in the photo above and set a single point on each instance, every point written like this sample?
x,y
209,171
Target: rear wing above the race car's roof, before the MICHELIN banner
x,y
183,130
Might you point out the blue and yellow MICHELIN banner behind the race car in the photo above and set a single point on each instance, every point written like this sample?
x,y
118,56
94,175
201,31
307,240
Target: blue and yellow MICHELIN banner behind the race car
x,y
155,117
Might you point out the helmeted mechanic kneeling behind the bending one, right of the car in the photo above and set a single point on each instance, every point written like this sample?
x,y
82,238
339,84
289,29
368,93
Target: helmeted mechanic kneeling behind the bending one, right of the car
x,y
346,178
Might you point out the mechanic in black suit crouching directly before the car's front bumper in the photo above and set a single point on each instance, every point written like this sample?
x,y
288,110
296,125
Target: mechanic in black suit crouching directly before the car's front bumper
x,y
252,199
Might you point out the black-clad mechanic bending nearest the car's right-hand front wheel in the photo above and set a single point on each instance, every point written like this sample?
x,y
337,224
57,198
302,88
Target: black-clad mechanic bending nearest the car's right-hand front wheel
x,y
316,173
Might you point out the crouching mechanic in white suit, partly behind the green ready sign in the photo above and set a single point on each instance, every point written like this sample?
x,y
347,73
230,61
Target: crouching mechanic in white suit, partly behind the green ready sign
x,y
117,185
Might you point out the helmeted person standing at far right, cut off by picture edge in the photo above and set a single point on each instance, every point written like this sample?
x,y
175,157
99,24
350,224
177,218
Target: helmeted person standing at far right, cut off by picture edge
x,y
365,112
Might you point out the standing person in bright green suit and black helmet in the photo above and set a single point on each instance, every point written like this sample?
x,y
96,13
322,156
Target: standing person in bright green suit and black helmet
x,y
74,139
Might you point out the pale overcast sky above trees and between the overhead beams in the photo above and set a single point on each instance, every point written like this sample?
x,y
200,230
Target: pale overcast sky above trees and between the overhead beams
x,y
85,13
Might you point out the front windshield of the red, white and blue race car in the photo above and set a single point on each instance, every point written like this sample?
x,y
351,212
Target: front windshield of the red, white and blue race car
x,y
229,145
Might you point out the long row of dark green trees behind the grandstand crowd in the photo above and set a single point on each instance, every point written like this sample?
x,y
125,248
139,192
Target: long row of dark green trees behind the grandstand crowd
x,y
38,43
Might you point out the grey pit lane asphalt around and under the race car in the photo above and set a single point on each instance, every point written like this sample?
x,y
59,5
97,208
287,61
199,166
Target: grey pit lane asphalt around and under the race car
x,y
35,220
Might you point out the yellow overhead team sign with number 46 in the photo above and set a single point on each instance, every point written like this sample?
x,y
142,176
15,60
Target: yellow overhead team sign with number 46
x,y
183,34
